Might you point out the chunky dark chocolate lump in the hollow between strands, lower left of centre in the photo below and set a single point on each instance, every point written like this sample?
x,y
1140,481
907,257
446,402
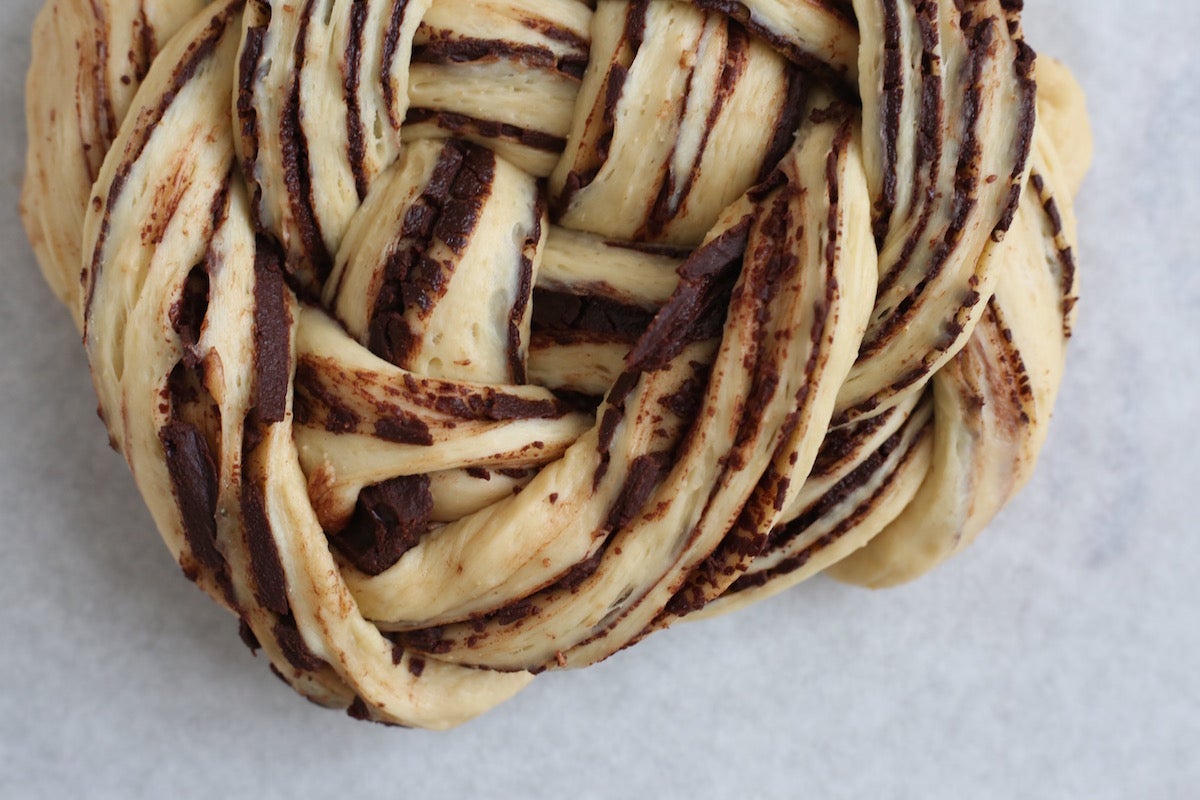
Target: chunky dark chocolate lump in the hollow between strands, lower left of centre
x,y
389,520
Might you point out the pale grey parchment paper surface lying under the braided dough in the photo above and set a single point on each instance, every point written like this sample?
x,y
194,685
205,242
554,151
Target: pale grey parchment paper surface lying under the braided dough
x,y
1057,659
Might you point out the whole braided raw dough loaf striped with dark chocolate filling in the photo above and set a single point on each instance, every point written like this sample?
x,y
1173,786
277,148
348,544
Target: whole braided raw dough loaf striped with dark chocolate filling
x,y
452,341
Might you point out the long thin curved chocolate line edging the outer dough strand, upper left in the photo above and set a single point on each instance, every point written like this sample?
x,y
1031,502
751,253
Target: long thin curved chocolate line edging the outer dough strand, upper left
x,y
148,124
